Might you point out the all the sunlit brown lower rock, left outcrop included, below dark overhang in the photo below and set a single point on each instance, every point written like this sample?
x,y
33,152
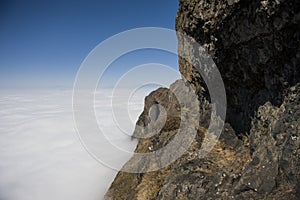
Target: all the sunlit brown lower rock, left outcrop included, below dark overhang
x,y
263,165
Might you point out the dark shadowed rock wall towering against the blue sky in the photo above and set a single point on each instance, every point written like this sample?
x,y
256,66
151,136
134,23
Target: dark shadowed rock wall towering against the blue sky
x,y
255,45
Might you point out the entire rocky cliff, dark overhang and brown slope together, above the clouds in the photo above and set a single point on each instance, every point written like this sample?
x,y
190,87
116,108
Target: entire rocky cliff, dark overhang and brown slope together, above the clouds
x,y
256,47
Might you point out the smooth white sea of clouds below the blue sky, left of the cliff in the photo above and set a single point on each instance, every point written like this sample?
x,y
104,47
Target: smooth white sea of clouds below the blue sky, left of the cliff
x,y
41,154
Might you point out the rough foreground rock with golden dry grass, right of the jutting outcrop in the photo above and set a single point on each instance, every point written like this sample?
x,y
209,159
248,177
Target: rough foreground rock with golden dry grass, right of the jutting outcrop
x,y
265,167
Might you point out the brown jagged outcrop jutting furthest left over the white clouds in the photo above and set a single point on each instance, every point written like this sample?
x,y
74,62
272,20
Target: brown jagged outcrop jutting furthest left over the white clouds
x,y
147,185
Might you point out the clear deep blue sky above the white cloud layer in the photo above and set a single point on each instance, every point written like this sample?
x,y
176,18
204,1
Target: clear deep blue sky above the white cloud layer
x,y
43,43
